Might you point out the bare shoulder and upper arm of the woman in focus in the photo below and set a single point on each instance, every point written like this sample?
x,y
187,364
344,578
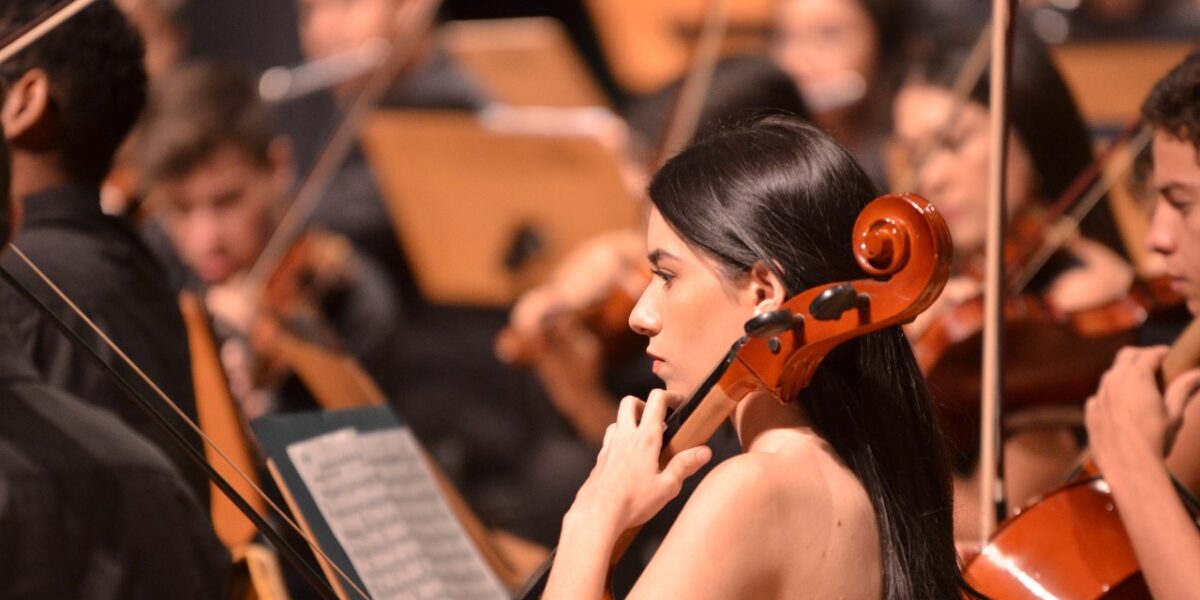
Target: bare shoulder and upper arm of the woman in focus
x,y
759,523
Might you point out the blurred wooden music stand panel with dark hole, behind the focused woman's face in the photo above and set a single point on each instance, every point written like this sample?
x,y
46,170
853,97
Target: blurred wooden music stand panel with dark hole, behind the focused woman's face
x,y
463,196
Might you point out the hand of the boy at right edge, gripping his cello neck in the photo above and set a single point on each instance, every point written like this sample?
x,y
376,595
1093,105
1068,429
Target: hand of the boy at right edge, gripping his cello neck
x,y
1129,421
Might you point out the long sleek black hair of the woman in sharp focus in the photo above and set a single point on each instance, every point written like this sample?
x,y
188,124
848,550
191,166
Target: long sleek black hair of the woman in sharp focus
x,y
783,194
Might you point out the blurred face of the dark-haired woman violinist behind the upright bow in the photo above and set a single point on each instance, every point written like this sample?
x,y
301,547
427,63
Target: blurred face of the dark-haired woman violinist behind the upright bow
x,y
951,160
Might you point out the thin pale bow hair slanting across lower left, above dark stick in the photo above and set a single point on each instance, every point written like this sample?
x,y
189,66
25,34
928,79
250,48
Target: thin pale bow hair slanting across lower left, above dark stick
x,y
171,404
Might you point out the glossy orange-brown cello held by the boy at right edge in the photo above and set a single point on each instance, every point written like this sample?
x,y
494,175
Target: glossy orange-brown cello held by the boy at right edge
x,y
1072,543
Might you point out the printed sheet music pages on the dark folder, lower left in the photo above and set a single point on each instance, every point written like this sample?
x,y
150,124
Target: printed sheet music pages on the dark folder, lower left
x,y
383,507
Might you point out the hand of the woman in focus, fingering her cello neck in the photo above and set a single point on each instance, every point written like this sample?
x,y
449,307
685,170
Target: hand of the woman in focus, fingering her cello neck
x,y
627,488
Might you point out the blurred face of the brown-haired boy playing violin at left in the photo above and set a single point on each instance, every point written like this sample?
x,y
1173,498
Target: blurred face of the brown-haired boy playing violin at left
x,y
219,214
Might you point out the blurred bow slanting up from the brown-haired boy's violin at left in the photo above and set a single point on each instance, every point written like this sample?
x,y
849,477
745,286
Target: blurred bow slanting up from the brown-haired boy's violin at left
x,y
309,197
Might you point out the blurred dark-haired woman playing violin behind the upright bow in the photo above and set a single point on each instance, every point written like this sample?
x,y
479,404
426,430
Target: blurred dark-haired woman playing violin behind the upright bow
x,y
1048,148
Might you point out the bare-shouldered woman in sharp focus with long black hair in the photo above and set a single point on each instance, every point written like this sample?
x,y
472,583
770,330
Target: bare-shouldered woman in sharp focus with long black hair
x,y
843,491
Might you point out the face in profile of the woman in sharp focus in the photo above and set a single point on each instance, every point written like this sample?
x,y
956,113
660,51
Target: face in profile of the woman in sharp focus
x,y
692,313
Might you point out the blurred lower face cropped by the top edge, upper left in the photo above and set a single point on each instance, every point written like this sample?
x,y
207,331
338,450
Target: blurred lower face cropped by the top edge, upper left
x,y
333,27
